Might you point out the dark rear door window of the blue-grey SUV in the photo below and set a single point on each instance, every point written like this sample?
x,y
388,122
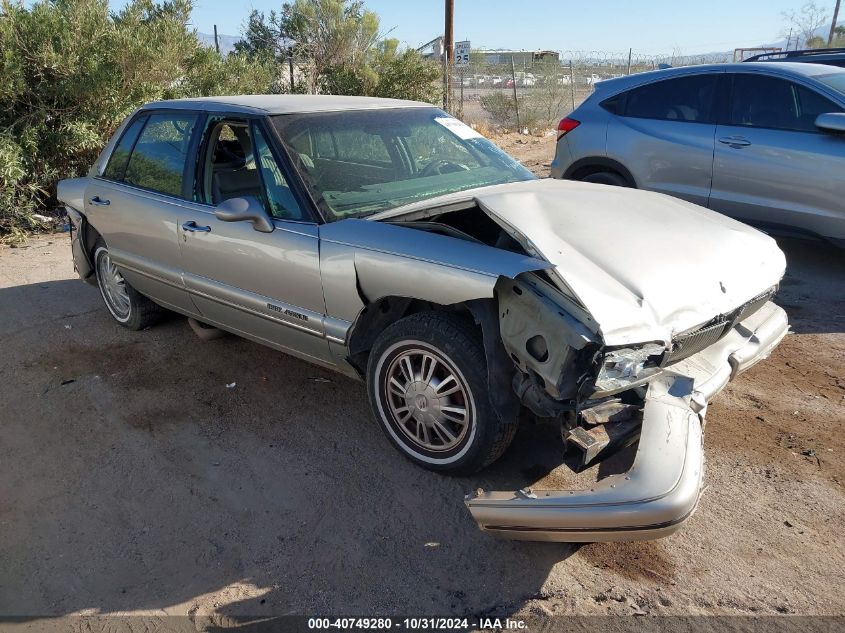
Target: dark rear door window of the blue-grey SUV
x,y
688,99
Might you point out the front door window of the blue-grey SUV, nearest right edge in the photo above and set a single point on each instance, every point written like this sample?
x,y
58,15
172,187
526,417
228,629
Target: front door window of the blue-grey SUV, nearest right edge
x,y
778,104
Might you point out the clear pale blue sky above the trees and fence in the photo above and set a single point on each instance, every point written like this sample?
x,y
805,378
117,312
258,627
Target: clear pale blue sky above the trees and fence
x,y
648,26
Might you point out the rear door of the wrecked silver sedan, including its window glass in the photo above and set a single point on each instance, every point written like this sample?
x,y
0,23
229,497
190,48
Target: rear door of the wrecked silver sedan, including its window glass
x,y
136,201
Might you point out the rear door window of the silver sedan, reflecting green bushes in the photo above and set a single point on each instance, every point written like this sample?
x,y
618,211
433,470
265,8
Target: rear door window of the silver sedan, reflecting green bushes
x,y
160,155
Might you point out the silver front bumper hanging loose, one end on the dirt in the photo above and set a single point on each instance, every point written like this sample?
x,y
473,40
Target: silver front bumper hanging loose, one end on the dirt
x,y
661,489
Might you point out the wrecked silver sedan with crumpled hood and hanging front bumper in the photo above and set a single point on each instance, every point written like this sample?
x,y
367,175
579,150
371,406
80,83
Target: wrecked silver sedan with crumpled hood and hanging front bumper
x,y
389,241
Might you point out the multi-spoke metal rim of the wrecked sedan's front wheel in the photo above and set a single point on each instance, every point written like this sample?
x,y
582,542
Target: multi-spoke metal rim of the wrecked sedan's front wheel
x,y
428,399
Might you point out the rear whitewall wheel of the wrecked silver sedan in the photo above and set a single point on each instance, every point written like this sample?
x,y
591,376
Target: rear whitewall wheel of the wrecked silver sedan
x,y
128,307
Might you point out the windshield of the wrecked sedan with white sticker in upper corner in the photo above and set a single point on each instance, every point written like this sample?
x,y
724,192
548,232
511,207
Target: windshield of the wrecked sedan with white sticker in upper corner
x,y
360,162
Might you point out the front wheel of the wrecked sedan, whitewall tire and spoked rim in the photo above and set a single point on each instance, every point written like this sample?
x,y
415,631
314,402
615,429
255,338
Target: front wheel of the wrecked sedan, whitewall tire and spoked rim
x,y
427,383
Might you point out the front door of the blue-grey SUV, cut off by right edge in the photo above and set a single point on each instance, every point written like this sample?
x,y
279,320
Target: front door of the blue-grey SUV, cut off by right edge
x,y
772,166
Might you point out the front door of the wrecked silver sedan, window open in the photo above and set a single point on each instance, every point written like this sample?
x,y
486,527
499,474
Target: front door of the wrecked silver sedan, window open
x,y
265,286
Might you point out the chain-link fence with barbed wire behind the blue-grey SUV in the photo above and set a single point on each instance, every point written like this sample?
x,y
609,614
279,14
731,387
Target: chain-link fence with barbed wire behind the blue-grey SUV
x,y
534,89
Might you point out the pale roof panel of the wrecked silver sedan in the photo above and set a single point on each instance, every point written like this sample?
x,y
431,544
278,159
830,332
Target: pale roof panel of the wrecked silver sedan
x,y
282,104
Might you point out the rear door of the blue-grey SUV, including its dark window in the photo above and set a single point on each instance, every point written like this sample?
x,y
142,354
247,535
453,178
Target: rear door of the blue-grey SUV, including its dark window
x,y
664,135
